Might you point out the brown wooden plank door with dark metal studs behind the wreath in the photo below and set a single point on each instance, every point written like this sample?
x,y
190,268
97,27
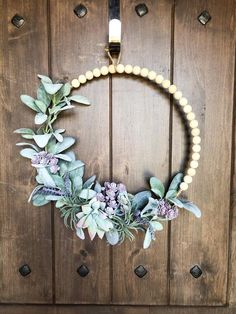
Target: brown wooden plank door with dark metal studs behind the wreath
x,y
130,132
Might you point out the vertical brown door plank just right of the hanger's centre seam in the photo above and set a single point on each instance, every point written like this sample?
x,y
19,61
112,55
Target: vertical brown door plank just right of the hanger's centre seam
x,y
141,145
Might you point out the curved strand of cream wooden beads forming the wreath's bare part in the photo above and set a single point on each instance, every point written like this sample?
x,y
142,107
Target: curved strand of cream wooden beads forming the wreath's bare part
x,y
171,89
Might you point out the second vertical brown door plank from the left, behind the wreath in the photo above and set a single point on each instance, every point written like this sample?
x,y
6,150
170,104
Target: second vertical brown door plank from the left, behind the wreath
x,y
76,48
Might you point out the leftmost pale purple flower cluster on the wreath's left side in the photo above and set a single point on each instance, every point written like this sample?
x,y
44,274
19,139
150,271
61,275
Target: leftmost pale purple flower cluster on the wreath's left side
x,y
45,159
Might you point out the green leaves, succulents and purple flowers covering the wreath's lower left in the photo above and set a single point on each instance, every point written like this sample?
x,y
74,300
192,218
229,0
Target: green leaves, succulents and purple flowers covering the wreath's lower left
x,y
106,210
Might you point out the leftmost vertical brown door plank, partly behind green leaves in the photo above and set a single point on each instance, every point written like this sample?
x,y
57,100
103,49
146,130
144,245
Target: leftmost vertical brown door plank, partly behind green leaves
x,y
25,231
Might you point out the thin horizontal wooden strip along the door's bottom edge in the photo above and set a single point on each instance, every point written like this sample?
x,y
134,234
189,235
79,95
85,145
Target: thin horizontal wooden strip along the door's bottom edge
x,y
86,309
